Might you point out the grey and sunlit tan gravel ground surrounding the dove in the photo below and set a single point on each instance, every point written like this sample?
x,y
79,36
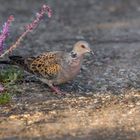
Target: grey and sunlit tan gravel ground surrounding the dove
x,y
103,101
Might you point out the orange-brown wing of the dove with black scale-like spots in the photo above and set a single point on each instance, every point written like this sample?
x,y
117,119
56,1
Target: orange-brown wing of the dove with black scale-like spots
x,y
47,64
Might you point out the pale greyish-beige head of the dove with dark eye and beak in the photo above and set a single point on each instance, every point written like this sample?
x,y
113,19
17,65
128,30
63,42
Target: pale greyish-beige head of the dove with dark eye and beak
x,y
80,48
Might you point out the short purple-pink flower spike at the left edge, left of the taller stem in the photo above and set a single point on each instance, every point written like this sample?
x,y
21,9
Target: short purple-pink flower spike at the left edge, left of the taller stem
x,y
5,32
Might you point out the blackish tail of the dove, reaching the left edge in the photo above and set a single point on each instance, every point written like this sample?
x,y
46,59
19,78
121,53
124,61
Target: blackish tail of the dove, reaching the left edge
x,y
14,60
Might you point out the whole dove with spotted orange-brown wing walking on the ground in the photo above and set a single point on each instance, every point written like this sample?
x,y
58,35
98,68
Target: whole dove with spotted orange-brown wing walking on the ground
x,y
55,67
